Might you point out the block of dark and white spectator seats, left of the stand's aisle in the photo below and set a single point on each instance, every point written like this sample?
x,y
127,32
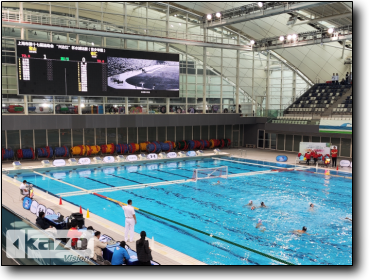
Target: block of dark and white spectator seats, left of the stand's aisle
x,y
318,98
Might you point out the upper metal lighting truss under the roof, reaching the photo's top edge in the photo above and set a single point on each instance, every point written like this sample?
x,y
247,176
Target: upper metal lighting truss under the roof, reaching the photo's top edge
x,y
253,12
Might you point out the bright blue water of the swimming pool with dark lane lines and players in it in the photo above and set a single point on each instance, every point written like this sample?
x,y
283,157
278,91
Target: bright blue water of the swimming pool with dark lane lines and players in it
x,y
220,209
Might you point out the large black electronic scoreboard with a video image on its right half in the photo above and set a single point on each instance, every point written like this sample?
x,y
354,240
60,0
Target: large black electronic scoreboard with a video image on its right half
x,y
60,69
